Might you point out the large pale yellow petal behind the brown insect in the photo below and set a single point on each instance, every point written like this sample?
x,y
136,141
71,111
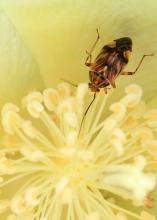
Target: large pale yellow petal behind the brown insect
x,y
59,32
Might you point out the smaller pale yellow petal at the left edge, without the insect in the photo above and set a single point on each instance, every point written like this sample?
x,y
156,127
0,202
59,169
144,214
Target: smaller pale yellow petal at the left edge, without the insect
x,y
19,72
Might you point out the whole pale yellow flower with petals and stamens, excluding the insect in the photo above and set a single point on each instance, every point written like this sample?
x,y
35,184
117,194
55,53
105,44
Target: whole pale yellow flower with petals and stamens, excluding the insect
x,y
110,167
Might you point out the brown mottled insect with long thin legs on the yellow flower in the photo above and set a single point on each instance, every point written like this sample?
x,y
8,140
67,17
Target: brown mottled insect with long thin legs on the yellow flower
x,y
108,65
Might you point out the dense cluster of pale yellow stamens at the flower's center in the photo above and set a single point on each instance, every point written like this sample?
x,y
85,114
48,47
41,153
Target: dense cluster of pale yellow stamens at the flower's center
x,y
71,175
